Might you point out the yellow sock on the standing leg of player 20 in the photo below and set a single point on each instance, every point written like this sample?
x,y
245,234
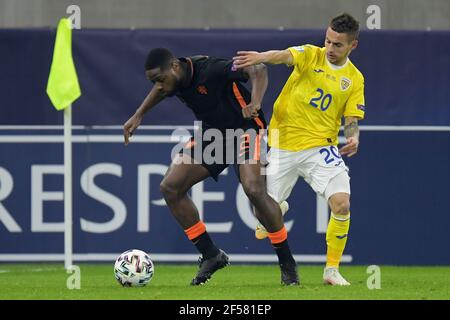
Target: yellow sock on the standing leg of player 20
x,y
337,232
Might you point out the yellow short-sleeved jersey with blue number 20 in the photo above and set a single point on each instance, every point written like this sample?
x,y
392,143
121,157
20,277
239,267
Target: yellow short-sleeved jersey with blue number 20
x,y
309,109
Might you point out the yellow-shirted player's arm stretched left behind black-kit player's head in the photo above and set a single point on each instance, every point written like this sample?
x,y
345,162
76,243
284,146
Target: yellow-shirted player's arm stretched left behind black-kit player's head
x,y
247,58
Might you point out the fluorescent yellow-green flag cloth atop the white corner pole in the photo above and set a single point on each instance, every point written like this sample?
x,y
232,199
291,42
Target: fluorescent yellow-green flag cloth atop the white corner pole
x,y
62,86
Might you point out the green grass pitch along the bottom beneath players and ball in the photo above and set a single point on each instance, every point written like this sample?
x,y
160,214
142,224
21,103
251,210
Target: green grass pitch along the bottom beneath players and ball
x,y
255,282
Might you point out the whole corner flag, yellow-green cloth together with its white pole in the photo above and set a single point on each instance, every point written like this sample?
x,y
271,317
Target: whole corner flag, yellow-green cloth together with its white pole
x,y
63,89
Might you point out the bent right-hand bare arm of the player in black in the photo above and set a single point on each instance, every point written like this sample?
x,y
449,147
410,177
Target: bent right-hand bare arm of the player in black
x,y
259,80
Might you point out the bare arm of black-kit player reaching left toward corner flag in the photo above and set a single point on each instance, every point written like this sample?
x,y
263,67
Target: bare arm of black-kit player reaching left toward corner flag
x,y
155,96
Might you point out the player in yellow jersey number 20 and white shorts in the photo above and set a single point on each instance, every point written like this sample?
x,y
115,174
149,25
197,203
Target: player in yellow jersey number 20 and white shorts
x,y
303,132
